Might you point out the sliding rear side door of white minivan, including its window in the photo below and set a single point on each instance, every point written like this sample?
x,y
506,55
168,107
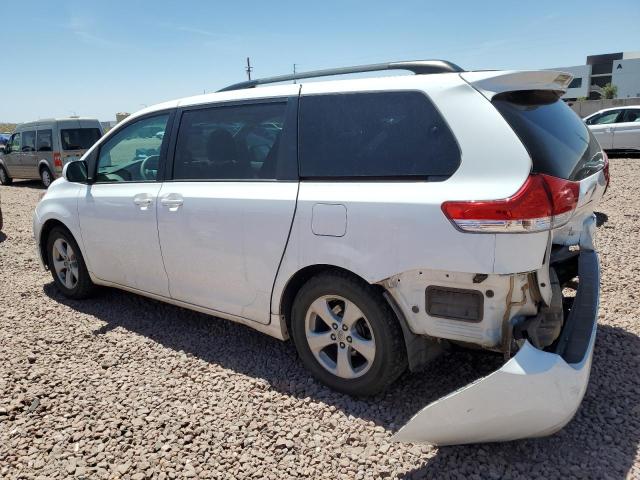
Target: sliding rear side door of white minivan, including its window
x,y
225,215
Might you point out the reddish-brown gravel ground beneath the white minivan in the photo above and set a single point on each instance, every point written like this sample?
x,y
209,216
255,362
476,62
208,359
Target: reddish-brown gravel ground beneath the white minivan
x,y
125,387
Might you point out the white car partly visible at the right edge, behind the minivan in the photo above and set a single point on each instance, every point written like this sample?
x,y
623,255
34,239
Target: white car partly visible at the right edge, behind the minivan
x,y
617,129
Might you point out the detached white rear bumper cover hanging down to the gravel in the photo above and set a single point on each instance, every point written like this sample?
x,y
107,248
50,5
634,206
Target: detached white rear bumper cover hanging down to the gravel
x,y
534,394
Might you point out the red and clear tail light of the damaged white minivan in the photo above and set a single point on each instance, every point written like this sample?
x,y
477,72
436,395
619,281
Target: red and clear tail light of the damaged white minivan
x,y
542,203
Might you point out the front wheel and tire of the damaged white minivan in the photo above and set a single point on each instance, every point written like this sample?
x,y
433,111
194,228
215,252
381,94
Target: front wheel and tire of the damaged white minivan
x,y
72,277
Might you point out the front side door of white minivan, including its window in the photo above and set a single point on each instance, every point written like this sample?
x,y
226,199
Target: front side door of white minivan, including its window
x,y
118,212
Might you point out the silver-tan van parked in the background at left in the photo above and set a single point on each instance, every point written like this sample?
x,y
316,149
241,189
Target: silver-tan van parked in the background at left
x,y
40,149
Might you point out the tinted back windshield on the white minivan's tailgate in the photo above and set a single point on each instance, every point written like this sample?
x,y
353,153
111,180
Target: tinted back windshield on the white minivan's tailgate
x,y
559,142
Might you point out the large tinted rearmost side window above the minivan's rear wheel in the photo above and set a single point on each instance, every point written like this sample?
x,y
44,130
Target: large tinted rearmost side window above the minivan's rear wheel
x,y
389,134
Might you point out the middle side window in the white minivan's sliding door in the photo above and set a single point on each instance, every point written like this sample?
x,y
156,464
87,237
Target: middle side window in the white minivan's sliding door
x,y
230,142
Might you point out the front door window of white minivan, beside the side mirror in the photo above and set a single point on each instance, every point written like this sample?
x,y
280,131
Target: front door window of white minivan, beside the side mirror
x,y
133,153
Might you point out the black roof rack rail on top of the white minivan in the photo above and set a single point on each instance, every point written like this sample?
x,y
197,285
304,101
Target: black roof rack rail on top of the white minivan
x,y
419,67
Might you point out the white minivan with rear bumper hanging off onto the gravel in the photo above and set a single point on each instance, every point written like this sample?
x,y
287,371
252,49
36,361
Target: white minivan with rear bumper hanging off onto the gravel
x,y
372,221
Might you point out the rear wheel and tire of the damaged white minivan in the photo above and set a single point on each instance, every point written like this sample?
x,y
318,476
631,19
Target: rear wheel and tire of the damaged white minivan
x,y
348,362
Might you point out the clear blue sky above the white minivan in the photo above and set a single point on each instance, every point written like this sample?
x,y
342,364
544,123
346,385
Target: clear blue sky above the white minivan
x,y
98,58
